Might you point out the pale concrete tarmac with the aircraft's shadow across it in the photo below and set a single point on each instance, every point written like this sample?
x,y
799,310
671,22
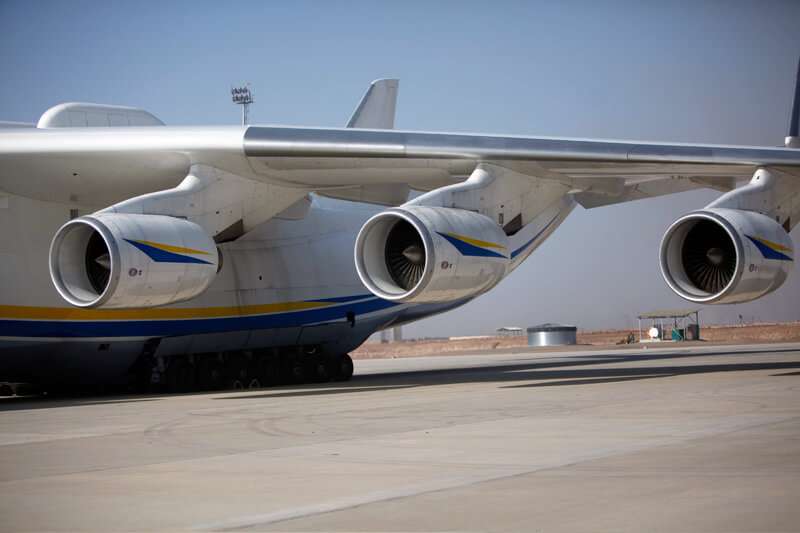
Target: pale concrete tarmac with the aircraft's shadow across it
x,y
699,439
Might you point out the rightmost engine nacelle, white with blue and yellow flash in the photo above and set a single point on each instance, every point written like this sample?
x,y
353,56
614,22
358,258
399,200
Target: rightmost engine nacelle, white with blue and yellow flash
x,y
725,256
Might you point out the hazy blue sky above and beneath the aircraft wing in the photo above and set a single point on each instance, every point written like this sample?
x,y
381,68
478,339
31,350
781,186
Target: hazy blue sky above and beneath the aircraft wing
x,y
711,71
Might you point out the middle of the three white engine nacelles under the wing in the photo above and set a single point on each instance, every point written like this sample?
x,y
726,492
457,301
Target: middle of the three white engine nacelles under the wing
x,y
430,254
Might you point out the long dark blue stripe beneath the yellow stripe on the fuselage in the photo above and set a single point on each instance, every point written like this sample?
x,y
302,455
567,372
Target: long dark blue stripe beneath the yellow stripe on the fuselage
x,y
168,328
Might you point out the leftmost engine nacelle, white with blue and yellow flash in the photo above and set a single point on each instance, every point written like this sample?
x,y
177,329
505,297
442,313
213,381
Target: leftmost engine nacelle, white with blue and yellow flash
x,y
114,260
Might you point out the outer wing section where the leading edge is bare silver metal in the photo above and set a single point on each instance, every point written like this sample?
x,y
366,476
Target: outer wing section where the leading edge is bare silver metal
x,y
607,171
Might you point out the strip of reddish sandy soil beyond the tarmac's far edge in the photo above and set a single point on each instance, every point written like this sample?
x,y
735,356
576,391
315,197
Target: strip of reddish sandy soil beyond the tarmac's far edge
x,y
755,333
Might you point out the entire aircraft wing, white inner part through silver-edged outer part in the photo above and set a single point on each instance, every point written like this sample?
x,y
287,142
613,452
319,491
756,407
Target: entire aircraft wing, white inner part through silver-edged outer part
x,y
101,166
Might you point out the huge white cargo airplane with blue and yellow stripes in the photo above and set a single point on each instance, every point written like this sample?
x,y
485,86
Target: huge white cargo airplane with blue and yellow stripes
x,y
197,258
